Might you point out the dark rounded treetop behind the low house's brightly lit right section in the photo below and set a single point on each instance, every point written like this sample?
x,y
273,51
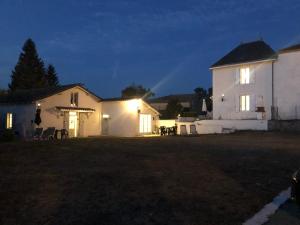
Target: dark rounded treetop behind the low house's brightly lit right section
x,y
136,91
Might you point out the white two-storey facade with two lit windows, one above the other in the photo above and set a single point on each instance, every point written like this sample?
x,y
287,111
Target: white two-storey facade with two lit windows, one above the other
x,y
226,81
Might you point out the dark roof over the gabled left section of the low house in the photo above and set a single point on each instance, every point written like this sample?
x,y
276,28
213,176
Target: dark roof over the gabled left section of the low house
x,y
31,95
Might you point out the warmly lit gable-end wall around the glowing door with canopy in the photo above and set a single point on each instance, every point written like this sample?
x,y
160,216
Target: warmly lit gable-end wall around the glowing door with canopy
x,y
90,124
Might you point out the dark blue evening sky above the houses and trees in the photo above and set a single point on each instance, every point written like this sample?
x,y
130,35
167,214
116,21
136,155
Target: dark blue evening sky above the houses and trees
x,y
167,45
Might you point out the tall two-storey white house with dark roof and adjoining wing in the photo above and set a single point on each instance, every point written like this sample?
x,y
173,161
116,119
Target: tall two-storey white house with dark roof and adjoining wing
x,y
253,84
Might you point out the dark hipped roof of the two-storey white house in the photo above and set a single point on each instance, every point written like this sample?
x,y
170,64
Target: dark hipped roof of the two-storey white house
x,y
247,52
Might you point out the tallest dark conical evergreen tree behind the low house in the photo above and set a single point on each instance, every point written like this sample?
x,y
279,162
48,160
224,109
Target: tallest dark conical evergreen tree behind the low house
x,y
29,71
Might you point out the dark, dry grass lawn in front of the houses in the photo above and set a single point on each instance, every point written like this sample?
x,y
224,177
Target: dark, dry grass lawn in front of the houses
x,y
211,179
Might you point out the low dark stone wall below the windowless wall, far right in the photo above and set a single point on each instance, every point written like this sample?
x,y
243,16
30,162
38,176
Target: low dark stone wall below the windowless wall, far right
x,y
284,125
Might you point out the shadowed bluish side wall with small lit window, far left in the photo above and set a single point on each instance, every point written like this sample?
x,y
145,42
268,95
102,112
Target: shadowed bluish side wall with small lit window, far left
x,y
23,117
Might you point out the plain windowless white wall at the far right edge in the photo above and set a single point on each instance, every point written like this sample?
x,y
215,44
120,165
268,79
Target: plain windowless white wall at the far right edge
x,y
286,85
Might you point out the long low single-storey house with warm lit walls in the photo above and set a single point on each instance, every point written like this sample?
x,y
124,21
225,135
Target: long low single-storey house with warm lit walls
x,y
76,109
